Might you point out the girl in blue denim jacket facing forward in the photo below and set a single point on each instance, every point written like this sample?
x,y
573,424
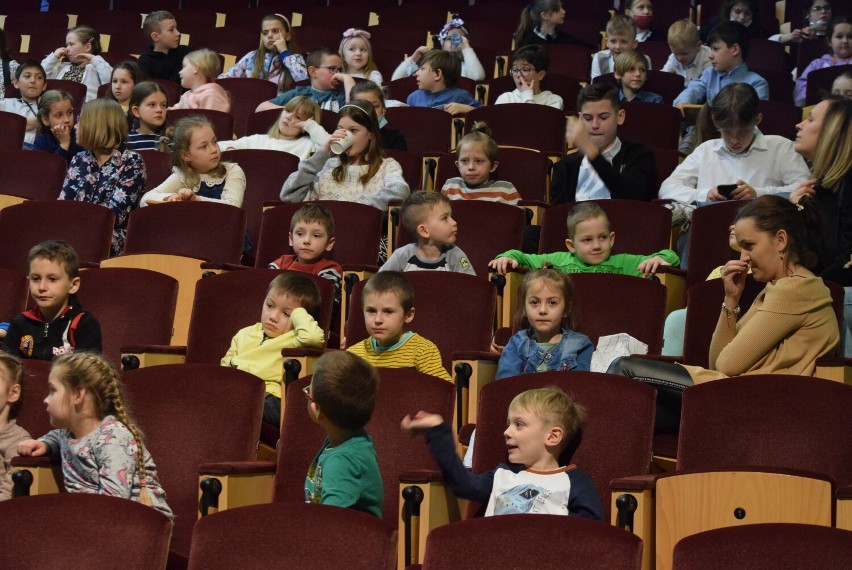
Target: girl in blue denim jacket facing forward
x,y
543,319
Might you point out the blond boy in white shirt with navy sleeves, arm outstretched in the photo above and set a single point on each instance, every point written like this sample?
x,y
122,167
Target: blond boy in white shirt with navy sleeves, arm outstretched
x,y
542,422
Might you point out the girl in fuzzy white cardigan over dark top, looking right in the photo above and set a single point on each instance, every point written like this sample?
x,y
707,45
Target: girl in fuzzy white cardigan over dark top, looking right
x,y
197,170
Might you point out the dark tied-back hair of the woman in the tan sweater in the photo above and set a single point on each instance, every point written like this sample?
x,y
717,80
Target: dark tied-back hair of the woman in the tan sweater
x,y
801,221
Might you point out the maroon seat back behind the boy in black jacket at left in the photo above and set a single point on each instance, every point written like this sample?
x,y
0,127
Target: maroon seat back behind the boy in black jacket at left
x,y
86,227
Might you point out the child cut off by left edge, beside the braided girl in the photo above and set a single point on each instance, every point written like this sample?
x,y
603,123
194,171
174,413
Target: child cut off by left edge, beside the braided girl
x,y
11,434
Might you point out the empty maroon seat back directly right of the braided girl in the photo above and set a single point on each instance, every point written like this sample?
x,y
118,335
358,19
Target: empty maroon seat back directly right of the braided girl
x,y
193,414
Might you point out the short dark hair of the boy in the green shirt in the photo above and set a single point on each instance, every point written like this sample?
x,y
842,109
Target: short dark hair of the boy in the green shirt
x,y
344,388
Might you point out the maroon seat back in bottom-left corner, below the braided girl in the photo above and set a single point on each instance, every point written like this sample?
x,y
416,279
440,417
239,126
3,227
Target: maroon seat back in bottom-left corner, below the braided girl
x,y
138,534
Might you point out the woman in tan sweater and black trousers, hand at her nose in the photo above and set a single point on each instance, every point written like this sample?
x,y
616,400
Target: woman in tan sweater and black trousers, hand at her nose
x,y
788,327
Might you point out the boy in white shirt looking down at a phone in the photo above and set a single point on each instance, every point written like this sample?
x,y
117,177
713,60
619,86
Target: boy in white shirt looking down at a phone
x,y
758,164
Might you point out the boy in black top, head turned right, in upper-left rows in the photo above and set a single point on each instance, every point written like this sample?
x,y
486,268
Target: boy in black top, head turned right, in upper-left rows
x,y
163,58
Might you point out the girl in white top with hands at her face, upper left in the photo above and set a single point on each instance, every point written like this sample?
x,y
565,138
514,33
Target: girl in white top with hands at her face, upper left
x,y
84,63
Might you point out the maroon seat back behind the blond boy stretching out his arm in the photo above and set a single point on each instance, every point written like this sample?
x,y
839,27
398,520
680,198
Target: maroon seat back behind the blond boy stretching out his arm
x,y
603,452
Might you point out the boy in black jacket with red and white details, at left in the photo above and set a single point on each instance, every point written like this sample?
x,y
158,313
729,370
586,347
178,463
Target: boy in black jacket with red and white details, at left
x,y
56,324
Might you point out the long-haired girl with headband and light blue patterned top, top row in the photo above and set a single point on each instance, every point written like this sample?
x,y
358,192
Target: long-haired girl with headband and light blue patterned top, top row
x,y
277,59
